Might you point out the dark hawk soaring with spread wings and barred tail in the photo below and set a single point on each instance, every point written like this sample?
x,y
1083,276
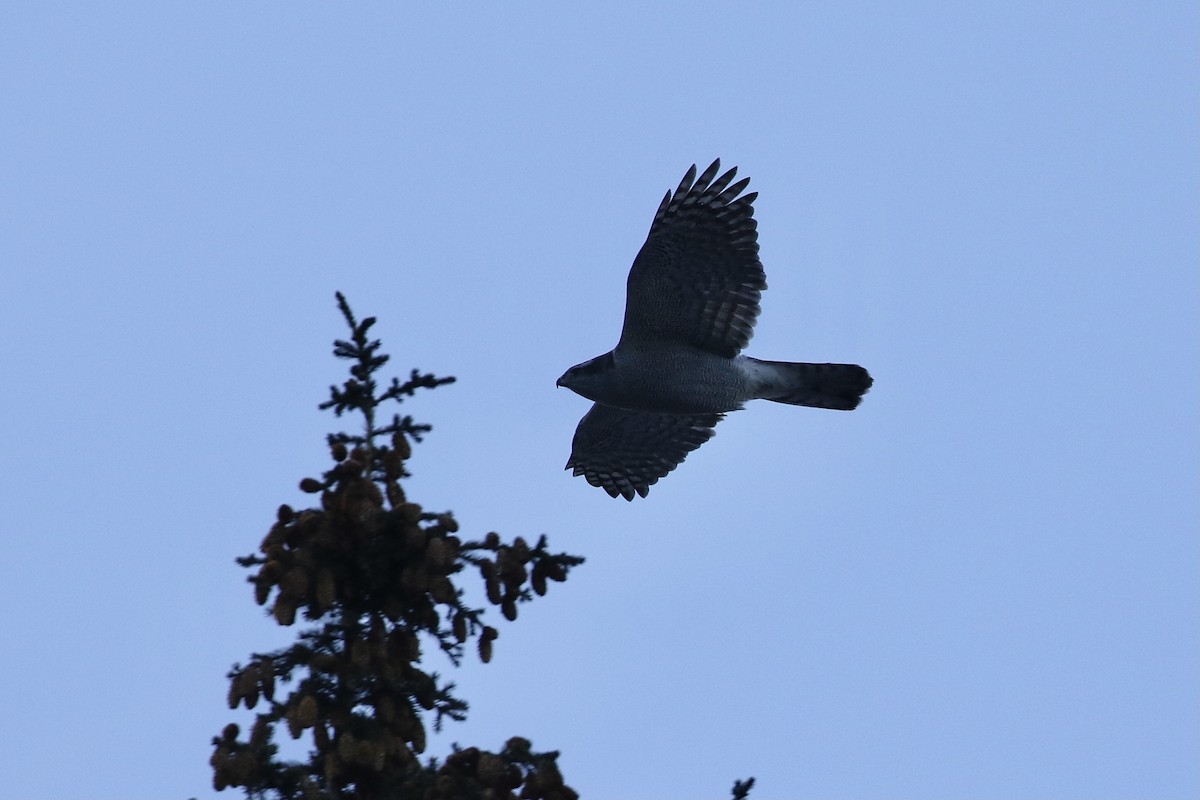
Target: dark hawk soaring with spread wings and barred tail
x,y
691,309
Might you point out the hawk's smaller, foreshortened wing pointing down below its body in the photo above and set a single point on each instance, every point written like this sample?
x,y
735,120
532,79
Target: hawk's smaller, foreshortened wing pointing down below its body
x,y
626,452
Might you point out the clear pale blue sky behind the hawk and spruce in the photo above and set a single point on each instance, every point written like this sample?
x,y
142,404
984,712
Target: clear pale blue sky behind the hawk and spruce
x,y
985,584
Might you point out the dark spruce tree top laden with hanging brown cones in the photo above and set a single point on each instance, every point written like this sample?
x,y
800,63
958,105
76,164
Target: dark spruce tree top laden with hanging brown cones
x,y
375,578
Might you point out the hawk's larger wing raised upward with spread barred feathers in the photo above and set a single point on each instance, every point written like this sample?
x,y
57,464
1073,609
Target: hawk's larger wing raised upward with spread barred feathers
x,y
698,279
